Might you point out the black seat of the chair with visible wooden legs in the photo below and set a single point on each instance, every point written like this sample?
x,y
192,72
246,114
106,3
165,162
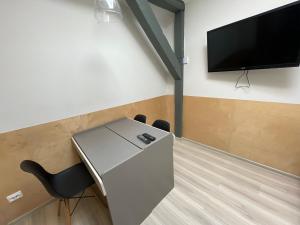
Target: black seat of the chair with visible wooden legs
x,y
72,181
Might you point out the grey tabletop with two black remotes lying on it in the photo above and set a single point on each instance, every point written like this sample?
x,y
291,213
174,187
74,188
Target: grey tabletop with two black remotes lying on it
x,y
112,144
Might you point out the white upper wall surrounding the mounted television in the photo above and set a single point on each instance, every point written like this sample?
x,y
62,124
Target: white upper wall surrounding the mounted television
x,y
276,85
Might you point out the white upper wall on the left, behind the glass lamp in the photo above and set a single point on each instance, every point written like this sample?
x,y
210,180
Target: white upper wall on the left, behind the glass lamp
x,y
57,62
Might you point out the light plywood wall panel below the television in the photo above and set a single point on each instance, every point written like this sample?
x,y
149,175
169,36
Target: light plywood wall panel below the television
x,y
264,132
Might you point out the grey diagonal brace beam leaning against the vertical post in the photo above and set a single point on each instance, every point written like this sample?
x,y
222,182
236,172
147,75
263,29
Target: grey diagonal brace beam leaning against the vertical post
x,y
144,14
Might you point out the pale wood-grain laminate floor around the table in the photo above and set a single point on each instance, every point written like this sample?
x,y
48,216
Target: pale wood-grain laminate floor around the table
x,y
211,188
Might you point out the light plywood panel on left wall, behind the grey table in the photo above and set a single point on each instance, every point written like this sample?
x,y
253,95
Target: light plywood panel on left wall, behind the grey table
x,y
50,145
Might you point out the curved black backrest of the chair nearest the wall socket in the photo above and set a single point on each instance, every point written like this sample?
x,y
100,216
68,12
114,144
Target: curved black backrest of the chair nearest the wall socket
x,y
41,174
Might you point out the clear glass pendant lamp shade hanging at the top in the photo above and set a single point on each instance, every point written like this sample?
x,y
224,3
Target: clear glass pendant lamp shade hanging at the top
x,y
108,11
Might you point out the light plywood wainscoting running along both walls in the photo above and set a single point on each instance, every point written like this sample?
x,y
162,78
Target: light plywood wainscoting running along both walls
x,y
268,133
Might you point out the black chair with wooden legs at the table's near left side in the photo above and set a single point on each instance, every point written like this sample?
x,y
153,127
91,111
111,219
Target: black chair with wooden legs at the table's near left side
x,y
64,185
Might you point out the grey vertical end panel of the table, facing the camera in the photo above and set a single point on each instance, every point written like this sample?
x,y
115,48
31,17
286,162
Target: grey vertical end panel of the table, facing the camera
x,y
135,187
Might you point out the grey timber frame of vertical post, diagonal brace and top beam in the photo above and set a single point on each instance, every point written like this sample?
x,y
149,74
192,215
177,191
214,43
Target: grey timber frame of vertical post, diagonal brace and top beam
x,y
149,23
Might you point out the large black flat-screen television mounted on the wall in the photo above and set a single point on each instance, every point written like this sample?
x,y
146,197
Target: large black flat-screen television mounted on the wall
x,y
268,40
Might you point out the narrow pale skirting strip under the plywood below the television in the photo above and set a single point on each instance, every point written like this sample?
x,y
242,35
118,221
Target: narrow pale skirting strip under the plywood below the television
x,y
244,159
